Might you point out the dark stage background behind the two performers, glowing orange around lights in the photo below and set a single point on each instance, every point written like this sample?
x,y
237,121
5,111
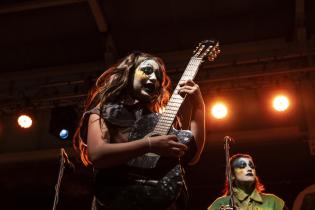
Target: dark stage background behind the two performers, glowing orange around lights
x,y
51,52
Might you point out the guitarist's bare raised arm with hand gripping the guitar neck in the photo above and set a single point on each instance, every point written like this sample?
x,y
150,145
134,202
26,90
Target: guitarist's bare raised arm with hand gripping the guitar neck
x,y
193,115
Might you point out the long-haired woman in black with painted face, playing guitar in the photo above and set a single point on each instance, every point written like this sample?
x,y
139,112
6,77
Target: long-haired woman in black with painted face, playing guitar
x,y
136,87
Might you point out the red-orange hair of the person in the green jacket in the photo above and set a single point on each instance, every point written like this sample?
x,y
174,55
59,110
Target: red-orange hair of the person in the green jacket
x,y
258,185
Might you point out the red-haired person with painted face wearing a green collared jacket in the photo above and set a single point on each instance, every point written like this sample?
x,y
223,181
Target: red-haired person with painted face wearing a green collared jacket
x,y
247,189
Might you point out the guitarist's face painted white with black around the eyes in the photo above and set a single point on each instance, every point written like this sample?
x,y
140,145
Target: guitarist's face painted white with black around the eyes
x,y
147,79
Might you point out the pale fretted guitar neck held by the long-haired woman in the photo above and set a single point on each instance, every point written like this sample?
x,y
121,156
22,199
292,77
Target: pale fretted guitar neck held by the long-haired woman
x,y
167,118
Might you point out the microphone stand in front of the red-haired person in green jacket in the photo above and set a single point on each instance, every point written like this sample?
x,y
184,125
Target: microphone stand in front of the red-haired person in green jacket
x,y
231,206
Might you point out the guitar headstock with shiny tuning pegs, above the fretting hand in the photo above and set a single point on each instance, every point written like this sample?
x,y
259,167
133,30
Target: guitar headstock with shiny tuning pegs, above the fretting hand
x,y
207,48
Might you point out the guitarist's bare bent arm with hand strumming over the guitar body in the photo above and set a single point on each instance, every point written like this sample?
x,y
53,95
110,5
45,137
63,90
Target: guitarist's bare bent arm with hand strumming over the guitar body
x,y
103,154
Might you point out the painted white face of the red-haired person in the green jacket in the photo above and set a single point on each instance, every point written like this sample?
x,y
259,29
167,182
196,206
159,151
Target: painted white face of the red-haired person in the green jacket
x,y
244,169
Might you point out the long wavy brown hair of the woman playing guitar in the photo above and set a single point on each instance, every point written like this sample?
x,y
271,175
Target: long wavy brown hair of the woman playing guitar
x,y
112,85
